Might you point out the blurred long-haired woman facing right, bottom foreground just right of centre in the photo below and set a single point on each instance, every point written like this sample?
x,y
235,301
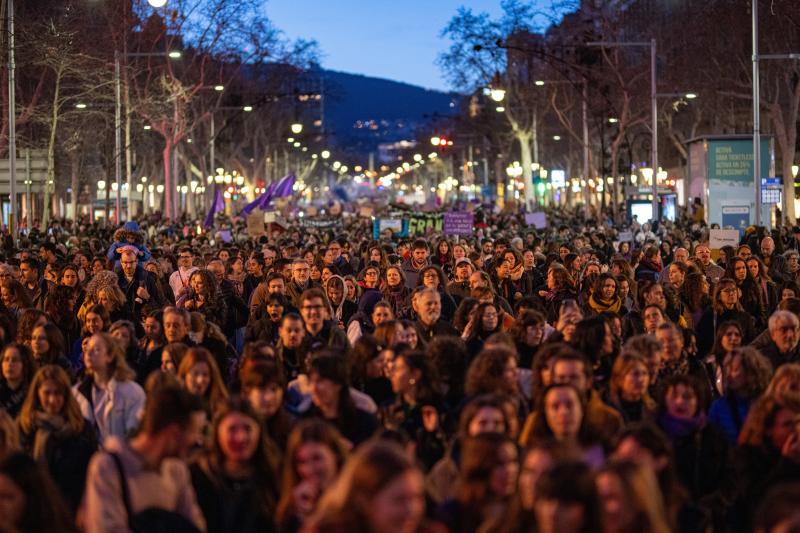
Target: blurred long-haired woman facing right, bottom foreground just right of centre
x,y
487,481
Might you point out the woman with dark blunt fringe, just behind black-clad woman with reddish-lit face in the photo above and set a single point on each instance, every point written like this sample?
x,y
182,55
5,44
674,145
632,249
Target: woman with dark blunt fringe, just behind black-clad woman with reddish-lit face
x,y
263,385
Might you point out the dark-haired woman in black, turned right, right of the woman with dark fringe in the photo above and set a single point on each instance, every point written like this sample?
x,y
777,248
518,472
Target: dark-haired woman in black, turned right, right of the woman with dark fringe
x,y
331,400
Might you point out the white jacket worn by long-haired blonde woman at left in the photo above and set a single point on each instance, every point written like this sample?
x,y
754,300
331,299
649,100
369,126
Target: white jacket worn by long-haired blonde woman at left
x,y
122,412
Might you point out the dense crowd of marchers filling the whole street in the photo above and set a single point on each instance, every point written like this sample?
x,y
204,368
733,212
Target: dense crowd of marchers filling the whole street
x,y
159,378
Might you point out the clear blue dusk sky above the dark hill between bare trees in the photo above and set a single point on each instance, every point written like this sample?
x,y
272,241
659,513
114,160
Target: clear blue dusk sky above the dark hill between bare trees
x,y
398,40
